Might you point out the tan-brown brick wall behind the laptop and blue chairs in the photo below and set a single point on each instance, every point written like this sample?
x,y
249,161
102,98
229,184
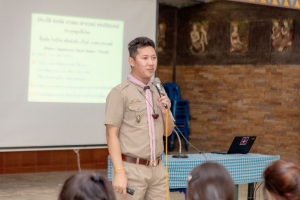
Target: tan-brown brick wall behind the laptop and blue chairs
x,y
231,100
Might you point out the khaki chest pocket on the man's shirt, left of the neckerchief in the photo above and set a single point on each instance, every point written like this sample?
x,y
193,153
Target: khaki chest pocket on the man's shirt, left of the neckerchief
x,y
136,114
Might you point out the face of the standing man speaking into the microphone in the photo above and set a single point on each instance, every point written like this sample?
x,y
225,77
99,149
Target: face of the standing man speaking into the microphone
x,y
144,64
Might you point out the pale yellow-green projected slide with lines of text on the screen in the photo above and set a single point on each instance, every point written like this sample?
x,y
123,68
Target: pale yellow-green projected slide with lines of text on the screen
x,y
74,60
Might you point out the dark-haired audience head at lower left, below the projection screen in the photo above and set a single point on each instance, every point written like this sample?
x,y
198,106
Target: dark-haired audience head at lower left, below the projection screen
x,y
87,186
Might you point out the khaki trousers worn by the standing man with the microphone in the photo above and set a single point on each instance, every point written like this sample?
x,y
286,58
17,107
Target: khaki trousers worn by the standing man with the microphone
x,y
149,183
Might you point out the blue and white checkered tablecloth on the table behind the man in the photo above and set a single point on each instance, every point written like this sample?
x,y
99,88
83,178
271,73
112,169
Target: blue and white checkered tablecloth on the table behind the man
x,y
243,168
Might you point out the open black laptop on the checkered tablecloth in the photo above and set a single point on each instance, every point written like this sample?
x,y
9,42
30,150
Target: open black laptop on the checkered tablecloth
x,y
240,145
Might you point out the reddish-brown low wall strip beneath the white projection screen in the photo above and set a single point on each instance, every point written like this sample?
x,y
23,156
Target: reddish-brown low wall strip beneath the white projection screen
x,y
53,160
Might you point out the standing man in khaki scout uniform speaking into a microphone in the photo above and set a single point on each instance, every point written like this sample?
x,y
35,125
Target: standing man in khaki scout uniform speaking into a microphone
x,y
135,125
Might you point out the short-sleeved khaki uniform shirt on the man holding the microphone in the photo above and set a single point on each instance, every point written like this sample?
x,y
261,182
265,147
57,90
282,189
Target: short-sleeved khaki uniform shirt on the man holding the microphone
x,y
126,109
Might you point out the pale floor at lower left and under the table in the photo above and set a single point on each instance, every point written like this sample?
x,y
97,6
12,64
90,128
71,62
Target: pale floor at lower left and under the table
x,y
46,186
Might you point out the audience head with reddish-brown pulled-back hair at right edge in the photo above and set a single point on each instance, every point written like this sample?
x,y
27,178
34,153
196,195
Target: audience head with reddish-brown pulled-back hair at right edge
x,y
282,180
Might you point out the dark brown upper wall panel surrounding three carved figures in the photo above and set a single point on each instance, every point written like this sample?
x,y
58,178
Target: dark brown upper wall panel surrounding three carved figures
x,y
219,15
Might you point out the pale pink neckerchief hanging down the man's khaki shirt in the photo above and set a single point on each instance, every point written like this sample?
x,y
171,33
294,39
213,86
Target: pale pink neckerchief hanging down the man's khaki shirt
x,y
149,105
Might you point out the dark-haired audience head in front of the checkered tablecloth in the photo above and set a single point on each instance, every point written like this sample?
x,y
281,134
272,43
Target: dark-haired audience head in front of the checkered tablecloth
x,y
210,181
